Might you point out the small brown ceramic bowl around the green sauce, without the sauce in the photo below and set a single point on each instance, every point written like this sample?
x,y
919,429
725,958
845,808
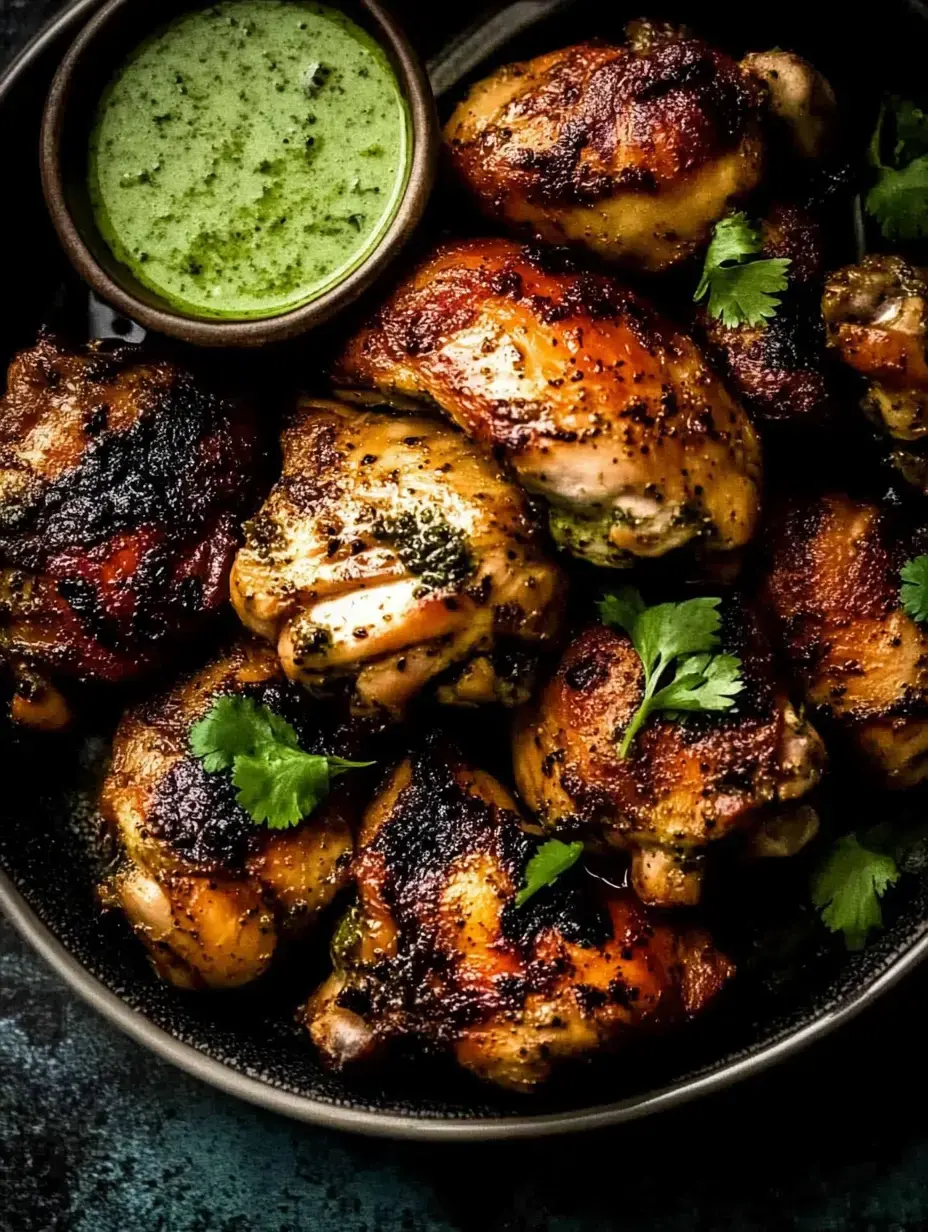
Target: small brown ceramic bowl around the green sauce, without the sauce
x,y
86,71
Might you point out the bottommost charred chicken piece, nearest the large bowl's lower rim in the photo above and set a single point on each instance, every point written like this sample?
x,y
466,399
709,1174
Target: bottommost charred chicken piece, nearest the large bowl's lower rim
x,y
438,953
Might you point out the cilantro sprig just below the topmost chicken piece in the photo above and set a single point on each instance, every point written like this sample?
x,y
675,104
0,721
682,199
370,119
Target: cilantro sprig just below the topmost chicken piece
x,y
743,289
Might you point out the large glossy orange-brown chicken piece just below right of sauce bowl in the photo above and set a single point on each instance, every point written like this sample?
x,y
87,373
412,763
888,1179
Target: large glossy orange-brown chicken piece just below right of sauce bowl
x,y
597,403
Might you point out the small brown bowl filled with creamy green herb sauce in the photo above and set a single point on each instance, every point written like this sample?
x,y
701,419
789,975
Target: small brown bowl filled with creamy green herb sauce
x,y
240,172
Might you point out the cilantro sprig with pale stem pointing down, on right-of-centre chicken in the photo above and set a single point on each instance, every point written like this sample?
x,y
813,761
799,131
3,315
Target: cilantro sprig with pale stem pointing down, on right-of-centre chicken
x,y
681,638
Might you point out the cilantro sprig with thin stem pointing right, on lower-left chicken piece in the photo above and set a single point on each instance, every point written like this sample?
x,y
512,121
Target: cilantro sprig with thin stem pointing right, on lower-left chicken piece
x,y
278,783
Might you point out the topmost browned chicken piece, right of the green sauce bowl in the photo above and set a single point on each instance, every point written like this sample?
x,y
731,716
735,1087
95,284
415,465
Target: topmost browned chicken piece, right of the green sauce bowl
x,y
633,152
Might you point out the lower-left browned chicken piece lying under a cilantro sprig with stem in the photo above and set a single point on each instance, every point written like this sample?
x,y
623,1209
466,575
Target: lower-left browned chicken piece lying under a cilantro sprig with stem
x,y
206,890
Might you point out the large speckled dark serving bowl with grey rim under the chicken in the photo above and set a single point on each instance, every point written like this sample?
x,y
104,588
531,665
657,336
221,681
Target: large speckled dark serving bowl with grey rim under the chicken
x,y
794,985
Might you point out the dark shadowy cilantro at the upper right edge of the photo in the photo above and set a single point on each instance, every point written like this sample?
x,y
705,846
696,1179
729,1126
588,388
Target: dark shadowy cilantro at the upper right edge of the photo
x,y
899,153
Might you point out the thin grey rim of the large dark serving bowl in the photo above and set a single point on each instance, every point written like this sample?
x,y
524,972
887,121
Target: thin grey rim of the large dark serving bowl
x,y
367,1122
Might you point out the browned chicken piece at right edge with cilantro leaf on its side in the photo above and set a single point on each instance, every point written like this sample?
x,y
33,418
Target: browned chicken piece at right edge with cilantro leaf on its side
x,y
834,588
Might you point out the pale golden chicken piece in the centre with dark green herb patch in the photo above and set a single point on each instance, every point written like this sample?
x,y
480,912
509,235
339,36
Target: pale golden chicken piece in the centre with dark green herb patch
x,y
393,553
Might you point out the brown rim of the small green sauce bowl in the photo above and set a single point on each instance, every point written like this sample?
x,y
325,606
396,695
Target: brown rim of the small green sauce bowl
x,y
247,332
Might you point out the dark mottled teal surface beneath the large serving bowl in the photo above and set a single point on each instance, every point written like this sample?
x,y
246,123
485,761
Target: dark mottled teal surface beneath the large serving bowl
x,y
99,1137
